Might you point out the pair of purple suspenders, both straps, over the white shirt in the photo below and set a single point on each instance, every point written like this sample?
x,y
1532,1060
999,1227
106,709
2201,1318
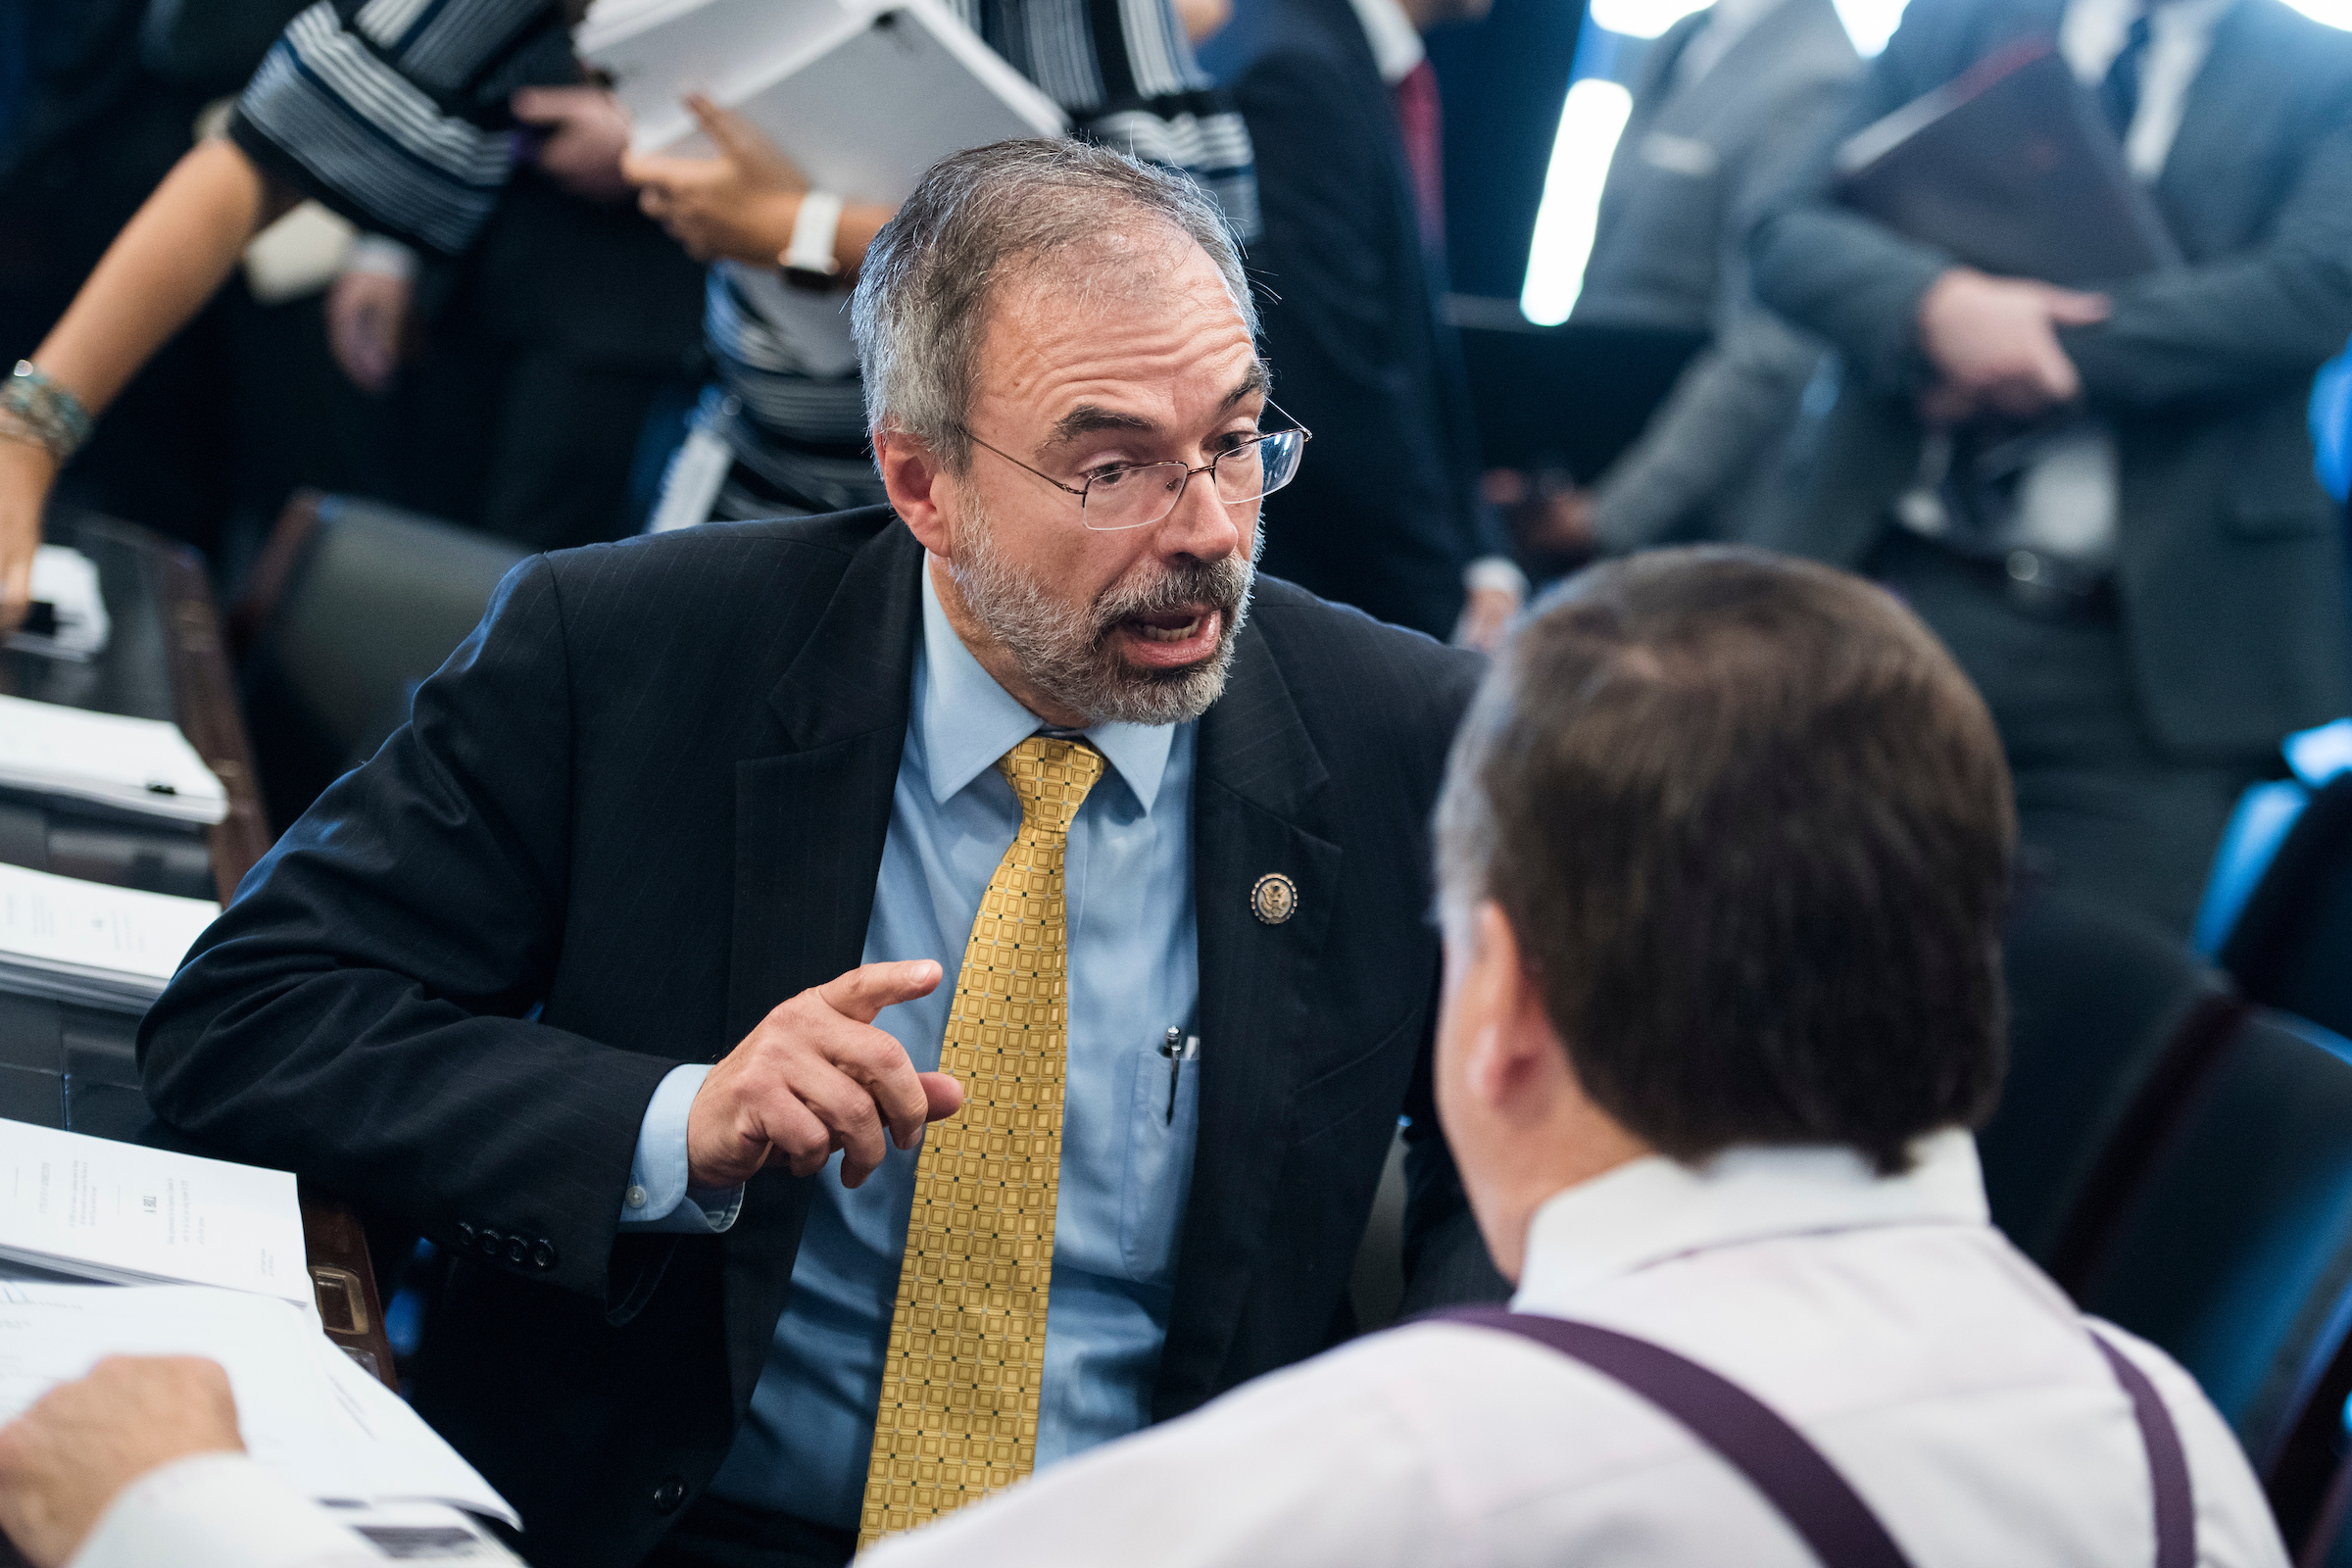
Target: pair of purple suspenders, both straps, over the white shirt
x,y
1791,1473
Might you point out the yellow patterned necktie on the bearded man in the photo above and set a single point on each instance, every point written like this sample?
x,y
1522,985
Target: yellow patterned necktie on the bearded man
x,y
965,1358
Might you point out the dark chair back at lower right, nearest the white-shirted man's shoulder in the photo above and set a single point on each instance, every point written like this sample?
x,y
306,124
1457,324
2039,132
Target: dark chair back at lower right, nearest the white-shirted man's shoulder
x,y
2233,1252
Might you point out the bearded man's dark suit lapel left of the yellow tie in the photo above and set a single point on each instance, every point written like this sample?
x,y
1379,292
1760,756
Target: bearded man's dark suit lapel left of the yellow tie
x,y
810,829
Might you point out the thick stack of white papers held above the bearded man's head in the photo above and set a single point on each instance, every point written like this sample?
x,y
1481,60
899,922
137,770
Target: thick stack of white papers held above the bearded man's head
x,y
864,95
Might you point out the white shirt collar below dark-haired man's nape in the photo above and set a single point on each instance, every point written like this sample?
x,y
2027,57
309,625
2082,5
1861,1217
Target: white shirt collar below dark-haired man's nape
x,y
1655,1207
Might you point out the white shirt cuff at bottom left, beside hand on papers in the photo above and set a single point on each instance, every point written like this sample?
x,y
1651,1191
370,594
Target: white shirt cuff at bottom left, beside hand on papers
x,y
218,1510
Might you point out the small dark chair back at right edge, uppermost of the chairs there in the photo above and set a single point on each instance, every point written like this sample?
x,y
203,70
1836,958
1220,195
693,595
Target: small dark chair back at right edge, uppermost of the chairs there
x,y
2292,946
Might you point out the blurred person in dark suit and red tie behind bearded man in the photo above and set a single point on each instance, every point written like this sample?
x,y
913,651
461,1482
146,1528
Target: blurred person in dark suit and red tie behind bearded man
x,y
1342,109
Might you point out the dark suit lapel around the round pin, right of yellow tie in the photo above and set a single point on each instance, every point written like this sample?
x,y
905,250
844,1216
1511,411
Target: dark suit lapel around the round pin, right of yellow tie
x,y
1252,817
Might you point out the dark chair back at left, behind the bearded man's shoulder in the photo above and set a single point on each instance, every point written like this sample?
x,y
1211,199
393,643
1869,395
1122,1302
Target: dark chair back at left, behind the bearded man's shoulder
x,y
349,610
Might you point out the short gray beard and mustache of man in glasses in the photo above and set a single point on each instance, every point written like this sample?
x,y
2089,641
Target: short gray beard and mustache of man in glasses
x,y
1067,652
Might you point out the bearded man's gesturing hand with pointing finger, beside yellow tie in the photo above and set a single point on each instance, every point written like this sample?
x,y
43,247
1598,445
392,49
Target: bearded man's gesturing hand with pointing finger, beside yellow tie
x,y
820,1078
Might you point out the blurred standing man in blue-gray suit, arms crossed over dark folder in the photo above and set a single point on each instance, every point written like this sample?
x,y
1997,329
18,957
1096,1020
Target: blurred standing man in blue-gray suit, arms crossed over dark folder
x,y
2160,589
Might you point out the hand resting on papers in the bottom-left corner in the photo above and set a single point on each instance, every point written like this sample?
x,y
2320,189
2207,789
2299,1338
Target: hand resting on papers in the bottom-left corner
x,y
67,1459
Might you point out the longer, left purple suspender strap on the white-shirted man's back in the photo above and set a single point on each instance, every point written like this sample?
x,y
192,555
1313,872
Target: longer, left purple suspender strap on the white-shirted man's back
x,y
1728,1419
